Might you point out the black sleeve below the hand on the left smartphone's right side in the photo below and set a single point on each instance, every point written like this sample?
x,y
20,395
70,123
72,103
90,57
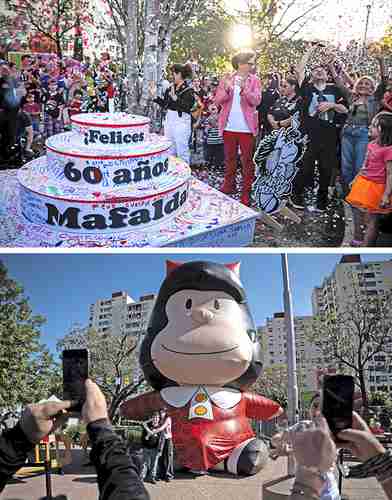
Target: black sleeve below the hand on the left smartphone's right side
x,y
117,470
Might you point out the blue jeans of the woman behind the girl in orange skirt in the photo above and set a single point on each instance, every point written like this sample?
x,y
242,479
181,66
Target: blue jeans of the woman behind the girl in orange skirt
x,y
354,145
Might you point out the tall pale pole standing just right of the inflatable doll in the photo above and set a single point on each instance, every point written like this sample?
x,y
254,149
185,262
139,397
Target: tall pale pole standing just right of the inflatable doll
x,y
292,393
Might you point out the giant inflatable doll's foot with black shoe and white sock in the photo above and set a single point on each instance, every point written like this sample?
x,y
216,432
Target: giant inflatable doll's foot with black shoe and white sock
x,y
248,458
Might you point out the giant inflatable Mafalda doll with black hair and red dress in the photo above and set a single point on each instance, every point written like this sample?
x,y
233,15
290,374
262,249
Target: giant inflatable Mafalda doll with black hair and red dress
x,y
200,354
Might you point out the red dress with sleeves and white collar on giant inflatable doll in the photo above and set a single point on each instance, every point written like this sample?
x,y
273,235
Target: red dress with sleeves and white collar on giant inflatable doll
x,y
209,422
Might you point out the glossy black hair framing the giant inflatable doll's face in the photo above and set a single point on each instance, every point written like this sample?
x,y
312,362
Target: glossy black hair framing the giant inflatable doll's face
x,y
202,276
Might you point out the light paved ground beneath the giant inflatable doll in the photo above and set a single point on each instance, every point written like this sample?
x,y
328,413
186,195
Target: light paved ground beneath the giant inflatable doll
x,y
79,482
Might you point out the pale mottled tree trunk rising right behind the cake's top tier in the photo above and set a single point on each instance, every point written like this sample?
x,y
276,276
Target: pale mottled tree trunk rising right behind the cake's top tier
x,y
150,76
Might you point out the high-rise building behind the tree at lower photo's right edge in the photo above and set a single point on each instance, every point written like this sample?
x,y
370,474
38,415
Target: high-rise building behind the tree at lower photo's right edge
x,y
351,279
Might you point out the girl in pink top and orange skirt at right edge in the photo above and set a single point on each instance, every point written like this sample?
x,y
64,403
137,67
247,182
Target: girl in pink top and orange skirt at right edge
x,y
372,188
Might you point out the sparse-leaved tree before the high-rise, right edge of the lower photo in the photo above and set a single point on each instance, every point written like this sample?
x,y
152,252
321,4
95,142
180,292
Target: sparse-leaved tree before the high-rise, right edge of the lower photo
x,y
356,334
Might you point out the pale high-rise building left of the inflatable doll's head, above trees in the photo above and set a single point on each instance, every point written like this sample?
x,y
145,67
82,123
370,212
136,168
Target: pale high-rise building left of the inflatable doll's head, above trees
x,y
121,314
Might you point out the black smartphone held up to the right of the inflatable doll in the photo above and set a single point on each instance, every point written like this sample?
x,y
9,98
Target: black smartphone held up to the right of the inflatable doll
x,y
337,401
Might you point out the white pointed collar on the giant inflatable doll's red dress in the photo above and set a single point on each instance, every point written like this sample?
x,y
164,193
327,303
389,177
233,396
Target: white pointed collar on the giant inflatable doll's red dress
x,y
224,397
